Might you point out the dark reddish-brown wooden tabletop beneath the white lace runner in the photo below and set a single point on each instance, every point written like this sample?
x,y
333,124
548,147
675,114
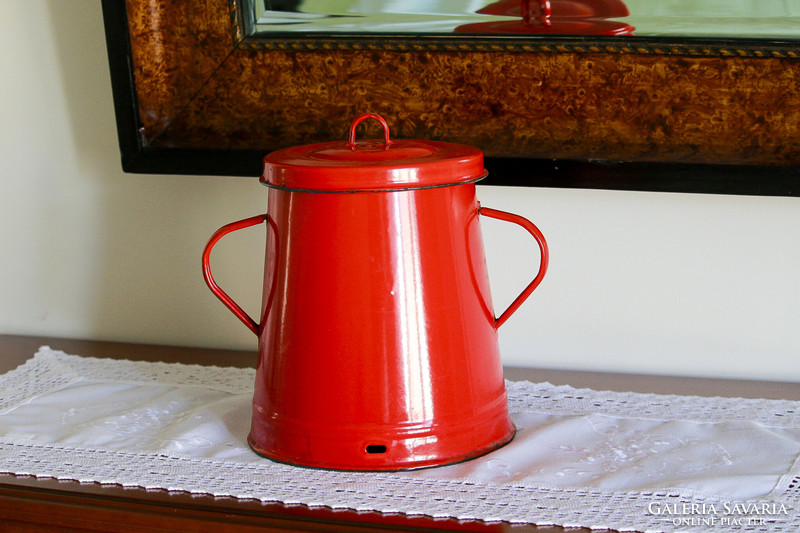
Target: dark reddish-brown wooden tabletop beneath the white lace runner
x,y
42,504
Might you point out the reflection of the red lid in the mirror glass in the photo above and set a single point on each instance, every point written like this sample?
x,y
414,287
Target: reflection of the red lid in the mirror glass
x,y
554,17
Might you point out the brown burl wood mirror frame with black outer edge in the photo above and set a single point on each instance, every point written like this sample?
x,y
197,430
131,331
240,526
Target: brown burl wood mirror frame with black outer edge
x,y
195,94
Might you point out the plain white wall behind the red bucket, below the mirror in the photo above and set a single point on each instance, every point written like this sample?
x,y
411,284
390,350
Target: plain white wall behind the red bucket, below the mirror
x,y
639,282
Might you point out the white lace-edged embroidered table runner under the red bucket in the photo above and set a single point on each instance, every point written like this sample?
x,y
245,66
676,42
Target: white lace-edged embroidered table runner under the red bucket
x,y
581,457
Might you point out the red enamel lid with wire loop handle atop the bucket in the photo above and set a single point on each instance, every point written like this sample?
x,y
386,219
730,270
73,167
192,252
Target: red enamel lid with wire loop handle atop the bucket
x,y
372,165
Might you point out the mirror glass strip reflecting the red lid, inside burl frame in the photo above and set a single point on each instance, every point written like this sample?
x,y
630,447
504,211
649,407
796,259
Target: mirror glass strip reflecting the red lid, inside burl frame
x,y
728,19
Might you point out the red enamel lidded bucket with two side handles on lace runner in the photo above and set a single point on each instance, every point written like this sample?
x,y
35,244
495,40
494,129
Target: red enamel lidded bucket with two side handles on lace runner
x,y
377,336
